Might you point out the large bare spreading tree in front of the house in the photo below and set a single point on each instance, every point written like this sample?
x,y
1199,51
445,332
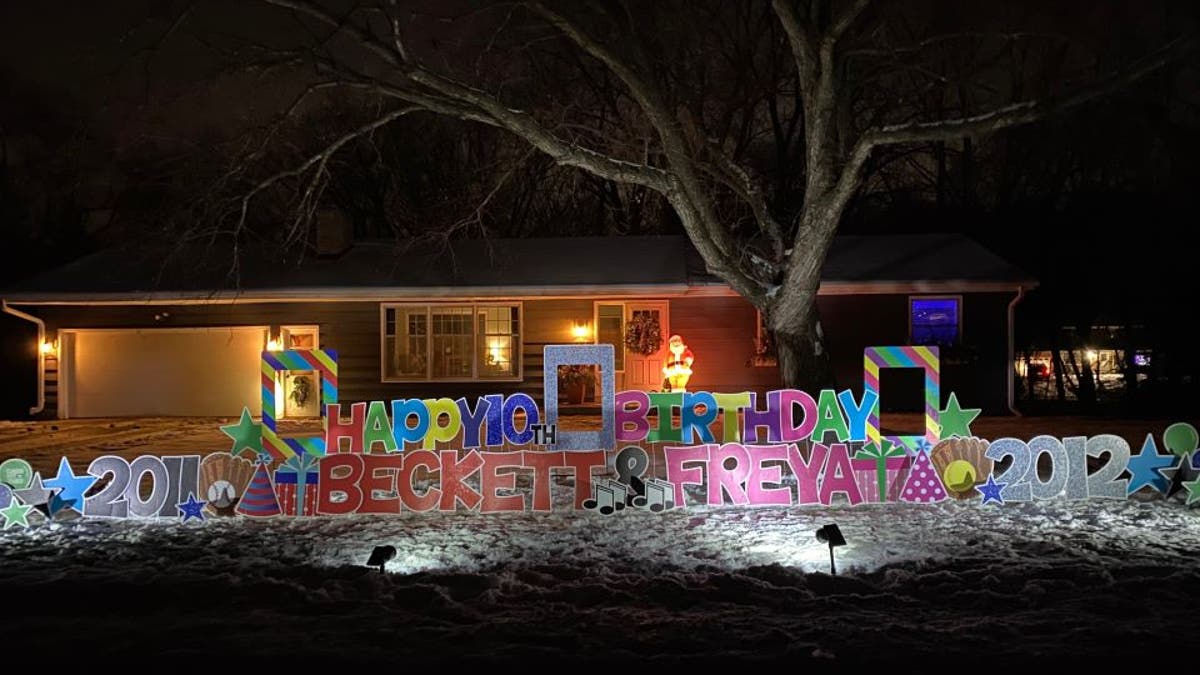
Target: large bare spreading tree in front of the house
x,y
757,123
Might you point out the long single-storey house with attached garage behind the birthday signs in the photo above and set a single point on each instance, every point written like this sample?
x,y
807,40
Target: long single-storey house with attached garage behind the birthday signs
x,y
137,332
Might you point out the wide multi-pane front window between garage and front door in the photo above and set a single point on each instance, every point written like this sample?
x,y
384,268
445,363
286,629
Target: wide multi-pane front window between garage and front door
x,y
452,343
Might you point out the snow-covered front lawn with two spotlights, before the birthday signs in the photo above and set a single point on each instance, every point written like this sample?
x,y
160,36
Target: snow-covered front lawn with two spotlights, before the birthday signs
x,y
953,587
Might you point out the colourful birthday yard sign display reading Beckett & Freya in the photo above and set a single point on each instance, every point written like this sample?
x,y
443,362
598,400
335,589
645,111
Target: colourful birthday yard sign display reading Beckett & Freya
x,y
658,451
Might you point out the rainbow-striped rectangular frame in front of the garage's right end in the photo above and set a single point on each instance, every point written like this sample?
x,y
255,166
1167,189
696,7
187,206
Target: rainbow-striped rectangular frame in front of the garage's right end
x,y
320,361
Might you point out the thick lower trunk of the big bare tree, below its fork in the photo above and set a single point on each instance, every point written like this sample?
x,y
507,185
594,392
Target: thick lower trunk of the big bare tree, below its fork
x,y
800,344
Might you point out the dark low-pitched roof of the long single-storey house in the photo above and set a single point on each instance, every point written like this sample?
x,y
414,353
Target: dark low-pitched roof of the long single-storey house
x,y
499,267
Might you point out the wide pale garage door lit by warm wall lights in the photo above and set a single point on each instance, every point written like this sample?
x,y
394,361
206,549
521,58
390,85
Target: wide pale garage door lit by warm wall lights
x,y
203,372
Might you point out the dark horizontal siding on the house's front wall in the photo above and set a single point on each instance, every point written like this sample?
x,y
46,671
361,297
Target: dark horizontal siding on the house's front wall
x,y
721,332
